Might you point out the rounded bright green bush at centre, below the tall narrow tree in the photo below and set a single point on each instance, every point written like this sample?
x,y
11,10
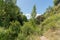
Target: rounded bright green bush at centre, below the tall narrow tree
x,y
27,29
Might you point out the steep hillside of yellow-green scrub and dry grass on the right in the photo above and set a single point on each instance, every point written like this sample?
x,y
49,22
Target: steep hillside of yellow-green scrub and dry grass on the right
x,y
51,25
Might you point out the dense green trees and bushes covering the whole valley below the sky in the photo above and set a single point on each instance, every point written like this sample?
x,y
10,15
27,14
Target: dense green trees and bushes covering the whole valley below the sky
x,y
15,26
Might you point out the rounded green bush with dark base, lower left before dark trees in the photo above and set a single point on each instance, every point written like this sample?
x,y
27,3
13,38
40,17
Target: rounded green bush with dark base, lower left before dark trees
x,y
14,29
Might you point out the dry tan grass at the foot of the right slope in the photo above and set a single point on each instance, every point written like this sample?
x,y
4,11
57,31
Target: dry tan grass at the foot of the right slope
x,y
53,35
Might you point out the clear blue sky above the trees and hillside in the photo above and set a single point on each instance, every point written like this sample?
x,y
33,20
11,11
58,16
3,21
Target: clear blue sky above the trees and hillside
x,y
27,5
